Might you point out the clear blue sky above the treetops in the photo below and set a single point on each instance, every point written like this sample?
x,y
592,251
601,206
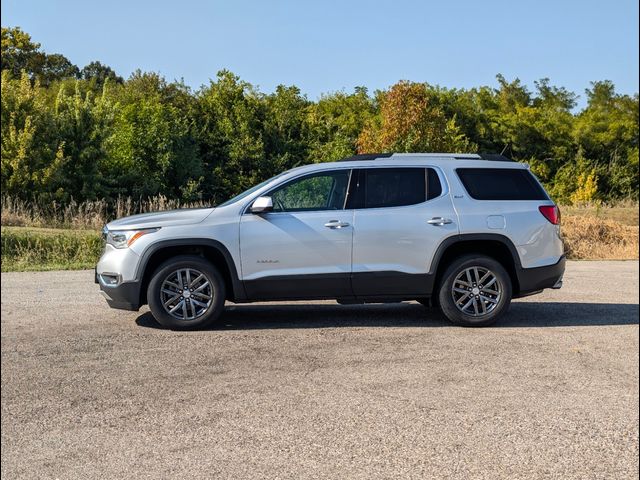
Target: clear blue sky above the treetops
x,y
329,45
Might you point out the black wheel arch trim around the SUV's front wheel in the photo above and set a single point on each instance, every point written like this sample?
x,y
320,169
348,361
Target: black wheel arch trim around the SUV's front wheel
x,y
212,250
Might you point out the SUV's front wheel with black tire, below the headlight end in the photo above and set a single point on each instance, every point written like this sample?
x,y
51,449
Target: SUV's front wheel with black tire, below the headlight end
x,y
188,313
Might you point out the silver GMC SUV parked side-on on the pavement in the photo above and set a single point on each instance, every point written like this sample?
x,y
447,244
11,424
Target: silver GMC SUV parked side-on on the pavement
x,y
466,233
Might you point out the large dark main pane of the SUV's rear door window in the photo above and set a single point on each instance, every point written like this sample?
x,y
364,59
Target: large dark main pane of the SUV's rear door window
x,y
387,187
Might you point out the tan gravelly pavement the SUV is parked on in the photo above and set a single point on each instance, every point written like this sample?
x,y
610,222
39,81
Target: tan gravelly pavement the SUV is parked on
x,y
321,391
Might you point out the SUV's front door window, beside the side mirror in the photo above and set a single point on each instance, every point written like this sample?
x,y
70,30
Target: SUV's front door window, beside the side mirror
x,y
322,191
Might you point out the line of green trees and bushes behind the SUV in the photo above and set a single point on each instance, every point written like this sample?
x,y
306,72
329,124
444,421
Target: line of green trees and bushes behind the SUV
x,y
85,134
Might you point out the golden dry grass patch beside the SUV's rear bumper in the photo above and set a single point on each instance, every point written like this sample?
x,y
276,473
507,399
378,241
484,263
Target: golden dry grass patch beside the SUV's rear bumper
x,y
590,238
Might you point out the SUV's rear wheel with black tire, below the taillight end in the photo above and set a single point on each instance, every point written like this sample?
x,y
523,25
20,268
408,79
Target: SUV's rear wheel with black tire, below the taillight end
x,y
490,302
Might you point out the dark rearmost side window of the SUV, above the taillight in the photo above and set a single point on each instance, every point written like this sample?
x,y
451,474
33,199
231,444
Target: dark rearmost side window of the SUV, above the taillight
x,y
501,184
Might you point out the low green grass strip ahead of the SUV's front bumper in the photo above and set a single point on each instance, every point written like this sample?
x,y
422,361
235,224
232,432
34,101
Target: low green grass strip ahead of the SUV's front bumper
x,y
34,249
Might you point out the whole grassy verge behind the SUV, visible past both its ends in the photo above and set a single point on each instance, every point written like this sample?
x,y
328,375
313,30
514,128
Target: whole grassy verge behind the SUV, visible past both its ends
x,y
28,244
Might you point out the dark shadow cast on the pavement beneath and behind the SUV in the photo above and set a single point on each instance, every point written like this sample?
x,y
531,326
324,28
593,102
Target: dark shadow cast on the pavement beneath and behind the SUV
x,y
521,314
